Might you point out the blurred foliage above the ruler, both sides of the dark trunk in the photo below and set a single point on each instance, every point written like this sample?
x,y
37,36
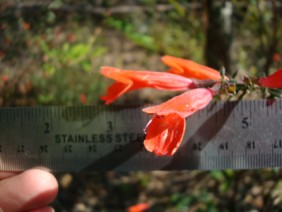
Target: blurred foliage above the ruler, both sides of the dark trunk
x,y
56,45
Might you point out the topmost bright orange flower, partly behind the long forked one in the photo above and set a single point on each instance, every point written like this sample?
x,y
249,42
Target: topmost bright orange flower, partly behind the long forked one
x,y
190,69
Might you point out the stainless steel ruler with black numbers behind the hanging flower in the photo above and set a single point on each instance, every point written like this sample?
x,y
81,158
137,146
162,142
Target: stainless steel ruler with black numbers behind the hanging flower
x,y
225,135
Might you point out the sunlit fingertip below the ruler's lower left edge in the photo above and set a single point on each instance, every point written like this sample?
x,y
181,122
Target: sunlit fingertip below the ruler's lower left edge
x,y
29,190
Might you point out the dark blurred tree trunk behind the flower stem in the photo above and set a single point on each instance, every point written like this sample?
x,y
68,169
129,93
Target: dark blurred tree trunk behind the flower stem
x,y
218,26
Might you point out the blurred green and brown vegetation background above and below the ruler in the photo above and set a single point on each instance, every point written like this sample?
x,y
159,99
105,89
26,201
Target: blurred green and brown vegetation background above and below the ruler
x,y
51,52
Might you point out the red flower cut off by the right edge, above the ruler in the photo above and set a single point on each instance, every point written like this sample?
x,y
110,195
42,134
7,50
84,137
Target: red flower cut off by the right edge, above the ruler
x,y
272,81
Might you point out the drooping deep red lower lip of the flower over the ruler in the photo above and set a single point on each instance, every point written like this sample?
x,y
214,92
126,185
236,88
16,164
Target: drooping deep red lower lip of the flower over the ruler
x,y
165,134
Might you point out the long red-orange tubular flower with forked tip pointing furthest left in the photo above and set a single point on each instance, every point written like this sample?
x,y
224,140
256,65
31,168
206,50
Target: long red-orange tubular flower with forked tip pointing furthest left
x,y
133,80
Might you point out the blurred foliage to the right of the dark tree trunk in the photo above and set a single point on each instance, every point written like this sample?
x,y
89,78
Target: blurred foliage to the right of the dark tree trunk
x,y
259,37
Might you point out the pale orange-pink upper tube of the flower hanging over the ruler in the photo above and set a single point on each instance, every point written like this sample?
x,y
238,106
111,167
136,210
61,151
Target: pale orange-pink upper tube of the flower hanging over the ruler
x,y
184,104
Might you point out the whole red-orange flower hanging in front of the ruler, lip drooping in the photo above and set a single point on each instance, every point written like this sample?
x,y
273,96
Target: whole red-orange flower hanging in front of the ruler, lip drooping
x,y
166,130
